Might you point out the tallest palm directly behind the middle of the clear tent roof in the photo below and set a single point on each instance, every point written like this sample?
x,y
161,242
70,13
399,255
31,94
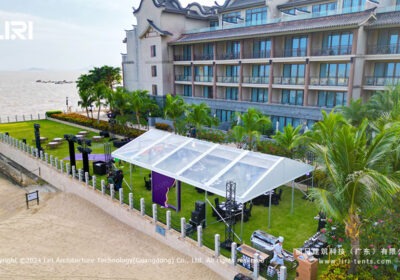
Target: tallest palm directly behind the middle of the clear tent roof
x,y
252,123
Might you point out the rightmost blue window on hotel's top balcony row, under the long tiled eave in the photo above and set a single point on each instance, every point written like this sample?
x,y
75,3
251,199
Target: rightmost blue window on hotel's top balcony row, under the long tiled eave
x,y
337,43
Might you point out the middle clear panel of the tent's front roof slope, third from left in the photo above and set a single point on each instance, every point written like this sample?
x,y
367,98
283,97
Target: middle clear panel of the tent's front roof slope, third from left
x,y
185,156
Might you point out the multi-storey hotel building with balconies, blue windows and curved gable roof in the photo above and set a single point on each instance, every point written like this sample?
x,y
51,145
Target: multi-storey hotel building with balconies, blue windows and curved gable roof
x,y
289,59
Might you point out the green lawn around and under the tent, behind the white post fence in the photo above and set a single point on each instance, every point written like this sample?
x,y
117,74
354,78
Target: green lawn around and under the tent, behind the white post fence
x,y
296,227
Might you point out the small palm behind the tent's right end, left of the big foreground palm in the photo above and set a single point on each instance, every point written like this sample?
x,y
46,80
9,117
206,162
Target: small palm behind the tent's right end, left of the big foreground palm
x,y
289,140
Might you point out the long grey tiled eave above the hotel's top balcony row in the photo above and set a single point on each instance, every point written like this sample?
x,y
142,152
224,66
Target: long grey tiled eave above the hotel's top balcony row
x,y
343,20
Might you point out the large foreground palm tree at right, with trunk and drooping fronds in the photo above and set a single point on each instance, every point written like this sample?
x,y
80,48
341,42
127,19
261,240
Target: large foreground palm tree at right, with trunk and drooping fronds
x,y
359,180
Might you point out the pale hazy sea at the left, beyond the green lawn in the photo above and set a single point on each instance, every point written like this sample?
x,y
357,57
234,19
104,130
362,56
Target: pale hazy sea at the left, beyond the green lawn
x,y
21,94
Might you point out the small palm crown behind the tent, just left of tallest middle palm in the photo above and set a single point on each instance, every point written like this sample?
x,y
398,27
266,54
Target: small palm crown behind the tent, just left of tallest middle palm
x,y
200,114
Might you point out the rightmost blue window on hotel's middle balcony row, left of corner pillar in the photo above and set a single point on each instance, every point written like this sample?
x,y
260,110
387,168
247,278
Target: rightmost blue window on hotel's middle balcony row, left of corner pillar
x,y
334,74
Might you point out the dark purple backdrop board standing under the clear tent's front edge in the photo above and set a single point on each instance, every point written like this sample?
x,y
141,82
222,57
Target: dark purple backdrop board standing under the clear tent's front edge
x,y
161,185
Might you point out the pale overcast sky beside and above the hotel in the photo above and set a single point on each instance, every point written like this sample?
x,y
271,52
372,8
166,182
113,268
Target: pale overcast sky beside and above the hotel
x,y
67,34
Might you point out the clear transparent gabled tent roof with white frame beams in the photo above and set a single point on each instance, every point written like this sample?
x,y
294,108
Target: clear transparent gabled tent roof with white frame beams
x,y
209,166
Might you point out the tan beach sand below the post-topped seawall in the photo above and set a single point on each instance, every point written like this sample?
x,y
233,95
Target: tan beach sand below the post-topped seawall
x,y
66,237
